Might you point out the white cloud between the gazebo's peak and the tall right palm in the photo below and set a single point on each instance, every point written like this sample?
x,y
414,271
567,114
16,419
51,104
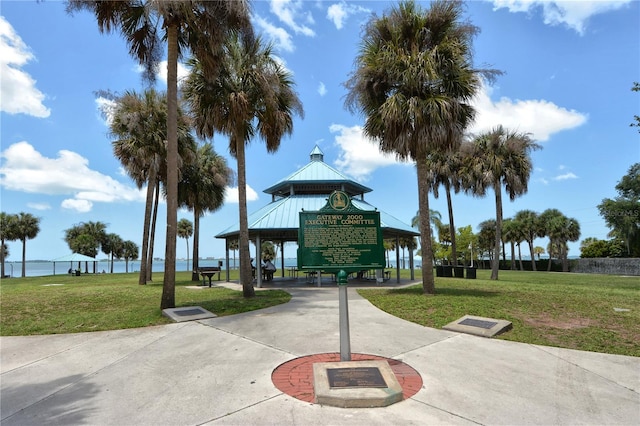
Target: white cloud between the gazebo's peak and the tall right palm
x,y
360,156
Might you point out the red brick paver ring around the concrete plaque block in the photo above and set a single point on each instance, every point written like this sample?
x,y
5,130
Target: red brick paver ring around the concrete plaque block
x,y
295,377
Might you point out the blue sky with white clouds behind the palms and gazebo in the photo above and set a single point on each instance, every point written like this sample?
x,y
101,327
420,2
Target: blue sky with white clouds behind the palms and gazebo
x,y
569,68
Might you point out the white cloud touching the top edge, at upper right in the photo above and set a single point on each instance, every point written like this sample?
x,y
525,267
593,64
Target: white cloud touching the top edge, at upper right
x,y
574,14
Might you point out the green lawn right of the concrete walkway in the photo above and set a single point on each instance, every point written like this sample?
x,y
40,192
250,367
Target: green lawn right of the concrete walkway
x,y
573,311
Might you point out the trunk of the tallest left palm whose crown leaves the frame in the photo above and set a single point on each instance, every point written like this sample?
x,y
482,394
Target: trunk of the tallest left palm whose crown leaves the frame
x,y
169,286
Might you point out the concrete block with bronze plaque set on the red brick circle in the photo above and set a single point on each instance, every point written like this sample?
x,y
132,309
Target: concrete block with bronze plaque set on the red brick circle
x,y
355,384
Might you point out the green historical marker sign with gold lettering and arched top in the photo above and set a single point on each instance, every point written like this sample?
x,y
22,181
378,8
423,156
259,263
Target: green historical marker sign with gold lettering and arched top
x,y
340,236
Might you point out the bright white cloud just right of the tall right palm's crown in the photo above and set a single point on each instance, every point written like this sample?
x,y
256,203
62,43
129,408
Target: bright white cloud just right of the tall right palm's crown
x,y
541,118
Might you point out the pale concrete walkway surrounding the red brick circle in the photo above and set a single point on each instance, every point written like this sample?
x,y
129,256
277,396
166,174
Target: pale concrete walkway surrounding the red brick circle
x,y
218,372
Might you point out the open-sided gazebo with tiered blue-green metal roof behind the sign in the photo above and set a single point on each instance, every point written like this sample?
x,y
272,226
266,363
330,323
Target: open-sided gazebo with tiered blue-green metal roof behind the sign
x,y
308,189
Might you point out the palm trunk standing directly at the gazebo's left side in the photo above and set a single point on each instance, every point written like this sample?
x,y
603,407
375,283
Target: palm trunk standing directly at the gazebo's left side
x,y
246,278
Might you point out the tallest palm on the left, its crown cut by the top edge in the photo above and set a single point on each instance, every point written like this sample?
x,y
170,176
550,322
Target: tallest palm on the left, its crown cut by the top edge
x,y
197,26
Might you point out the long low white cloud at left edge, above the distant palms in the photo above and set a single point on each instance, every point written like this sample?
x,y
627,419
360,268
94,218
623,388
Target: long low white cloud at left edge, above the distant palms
x,y
26,170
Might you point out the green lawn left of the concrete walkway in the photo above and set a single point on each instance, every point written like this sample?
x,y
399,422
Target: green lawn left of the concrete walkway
x,y
36,305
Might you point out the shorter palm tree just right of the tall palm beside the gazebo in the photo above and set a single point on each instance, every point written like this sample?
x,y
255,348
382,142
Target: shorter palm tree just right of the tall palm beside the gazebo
x,y
494,159
